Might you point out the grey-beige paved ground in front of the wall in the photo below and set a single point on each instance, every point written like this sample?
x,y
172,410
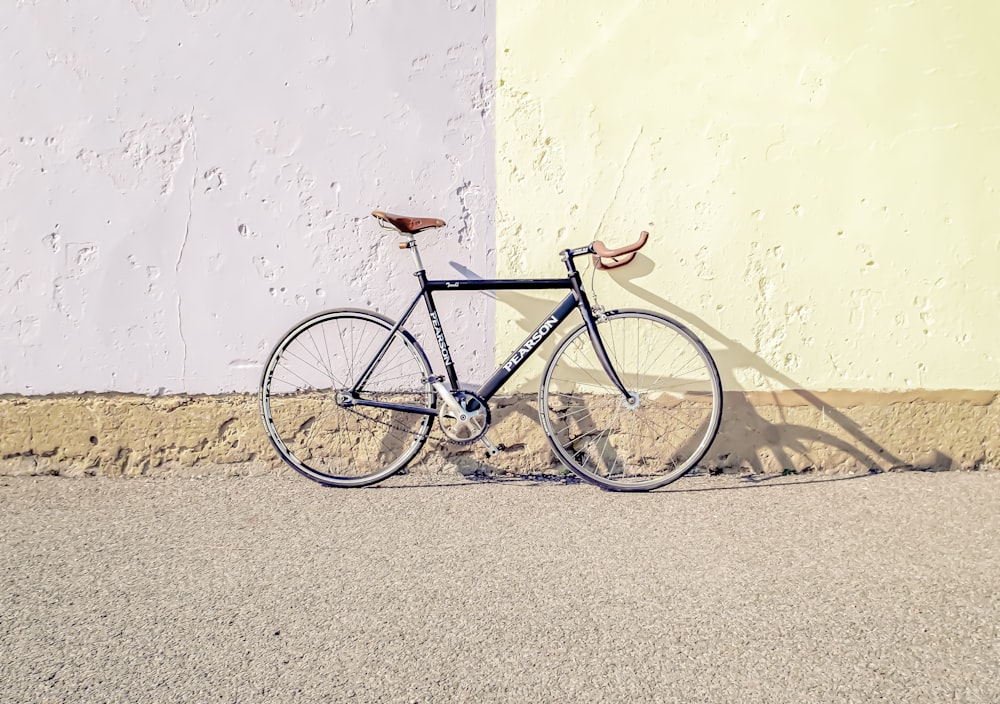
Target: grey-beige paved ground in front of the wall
x,y
440,588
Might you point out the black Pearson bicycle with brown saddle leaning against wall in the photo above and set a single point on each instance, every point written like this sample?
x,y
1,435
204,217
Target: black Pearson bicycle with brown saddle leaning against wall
x,y
630,400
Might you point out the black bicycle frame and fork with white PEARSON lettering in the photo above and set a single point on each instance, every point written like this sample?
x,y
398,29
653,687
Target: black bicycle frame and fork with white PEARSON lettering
x,y
576,298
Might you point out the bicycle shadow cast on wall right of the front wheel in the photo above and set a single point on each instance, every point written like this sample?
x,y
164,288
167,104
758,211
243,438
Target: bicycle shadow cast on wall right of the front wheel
x,y
746,438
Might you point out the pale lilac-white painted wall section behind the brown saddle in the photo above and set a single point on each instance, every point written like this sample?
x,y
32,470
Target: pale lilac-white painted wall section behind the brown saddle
x,y
180,181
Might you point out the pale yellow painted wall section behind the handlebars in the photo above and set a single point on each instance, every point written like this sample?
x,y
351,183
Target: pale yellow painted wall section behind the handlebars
x,y
820,179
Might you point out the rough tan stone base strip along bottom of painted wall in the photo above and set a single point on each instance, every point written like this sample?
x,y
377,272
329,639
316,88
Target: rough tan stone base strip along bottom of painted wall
x,y
787,431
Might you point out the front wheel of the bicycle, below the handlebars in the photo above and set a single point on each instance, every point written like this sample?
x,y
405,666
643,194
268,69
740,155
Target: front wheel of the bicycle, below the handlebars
x,y
641,444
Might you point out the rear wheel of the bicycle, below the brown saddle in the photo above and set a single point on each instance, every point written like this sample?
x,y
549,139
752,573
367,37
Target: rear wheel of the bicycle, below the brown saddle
x,y
331,442
